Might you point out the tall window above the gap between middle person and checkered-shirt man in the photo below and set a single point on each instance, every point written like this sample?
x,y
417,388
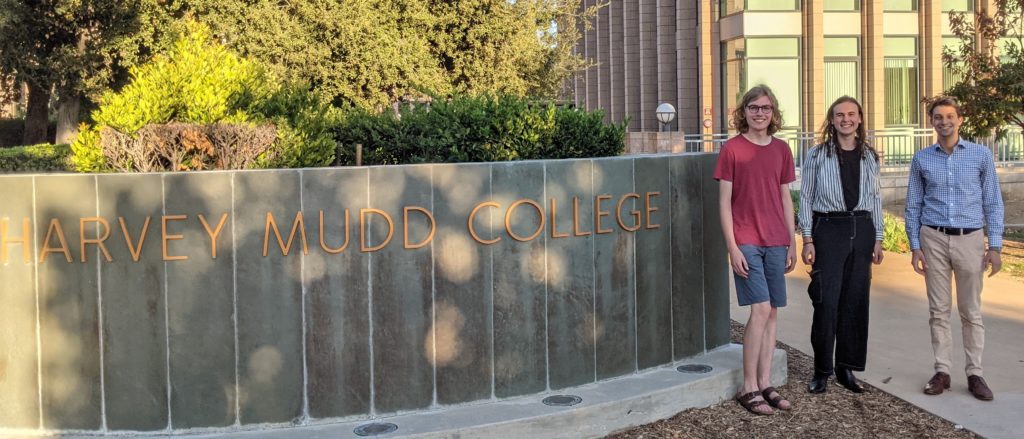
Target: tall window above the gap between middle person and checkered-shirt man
x,y
903,98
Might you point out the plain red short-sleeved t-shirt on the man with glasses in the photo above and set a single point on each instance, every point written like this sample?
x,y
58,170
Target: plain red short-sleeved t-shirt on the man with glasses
x,y
757,174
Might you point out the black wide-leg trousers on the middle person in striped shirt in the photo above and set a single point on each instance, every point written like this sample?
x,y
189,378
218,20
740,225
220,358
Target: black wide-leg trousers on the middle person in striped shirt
x,y
841,279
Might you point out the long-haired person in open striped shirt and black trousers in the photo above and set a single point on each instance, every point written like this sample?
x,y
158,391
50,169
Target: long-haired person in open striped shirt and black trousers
x,y
841,223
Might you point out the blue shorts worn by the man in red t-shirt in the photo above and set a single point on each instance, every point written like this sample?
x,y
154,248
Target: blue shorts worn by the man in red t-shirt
x,y
766,276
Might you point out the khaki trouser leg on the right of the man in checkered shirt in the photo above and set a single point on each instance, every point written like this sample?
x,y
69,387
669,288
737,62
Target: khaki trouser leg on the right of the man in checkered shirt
x,y
967,253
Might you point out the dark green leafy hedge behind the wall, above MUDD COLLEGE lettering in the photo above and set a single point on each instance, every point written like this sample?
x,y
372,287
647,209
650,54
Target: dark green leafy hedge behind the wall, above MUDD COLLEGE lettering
x,y
478,129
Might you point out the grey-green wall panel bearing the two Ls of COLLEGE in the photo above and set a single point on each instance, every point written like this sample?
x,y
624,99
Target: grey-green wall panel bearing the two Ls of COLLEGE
x,y
571,274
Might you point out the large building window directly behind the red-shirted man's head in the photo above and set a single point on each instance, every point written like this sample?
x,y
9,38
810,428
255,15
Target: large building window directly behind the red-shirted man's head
x,y
773,62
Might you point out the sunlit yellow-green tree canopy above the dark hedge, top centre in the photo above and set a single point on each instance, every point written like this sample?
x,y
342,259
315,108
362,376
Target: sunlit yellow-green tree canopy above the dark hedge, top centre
x,y
373,54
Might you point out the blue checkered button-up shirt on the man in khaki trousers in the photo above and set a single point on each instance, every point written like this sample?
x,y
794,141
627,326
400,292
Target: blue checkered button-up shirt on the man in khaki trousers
x,y
954,191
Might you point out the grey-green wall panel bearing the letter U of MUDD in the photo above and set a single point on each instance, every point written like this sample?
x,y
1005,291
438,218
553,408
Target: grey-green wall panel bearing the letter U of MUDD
x,y
337,280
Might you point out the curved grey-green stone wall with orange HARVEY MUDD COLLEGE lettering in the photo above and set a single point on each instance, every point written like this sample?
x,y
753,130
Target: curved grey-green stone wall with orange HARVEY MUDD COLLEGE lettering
x,y
164,302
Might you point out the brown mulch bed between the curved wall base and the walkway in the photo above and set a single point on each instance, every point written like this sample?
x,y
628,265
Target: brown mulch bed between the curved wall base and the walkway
x,y
838,414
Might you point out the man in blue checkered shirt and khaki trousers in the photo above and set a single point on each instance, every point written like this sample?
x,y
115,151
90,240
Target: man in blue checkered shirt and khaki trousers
x,y
953,195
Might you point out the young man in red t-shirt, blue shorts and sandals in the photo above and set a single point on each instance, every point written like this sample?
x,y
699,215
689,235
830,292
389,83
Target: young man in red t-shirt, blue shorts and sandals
x,y
755,170
